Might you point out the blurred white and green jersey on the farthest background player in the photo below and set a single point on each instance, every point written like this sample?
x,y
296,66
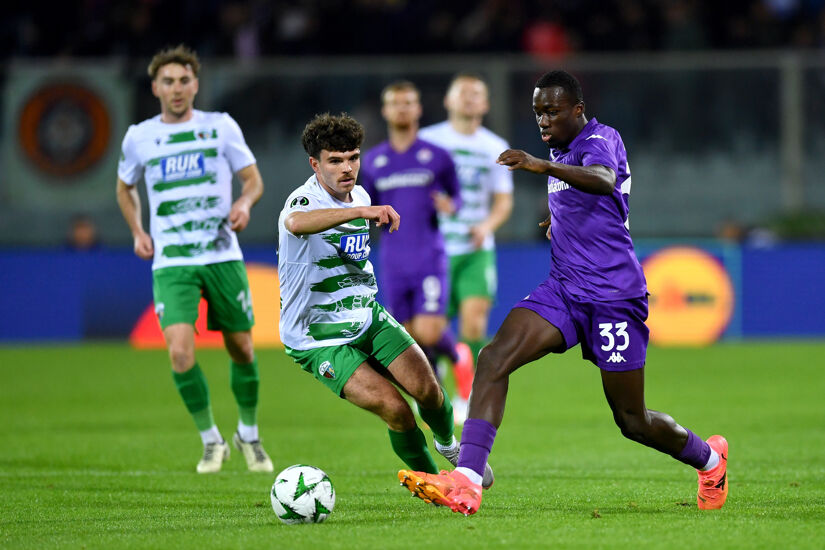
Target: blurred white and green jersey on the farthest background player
x,y
479,176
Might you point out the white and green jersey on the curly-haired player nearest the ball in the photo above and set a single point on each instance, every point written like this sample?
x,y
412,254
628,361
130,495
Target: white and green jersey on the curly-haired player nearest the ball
x,y
326,279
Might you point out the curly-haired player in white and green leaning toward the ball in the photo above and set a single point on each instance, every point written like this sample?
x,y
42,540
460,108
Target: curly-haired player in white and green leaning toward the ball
x,y
330,323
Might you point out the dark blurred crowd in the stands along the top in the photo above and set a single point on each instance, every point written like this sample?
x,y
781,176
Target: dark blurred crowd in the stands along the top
x,y
253,28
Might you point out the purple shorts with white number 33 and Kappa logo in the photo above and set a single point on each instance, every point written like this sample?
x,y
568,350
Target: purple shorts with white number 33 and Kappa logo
x,y
613,335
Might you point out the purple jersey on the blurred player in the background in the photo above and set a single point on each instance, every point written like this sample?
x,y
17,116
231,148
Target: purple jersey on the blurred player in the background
x,y
406,181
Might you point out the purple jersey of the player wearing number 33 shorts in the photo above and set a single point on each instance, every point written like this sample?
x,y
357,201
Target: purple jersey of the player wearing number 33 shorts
x,y
592,253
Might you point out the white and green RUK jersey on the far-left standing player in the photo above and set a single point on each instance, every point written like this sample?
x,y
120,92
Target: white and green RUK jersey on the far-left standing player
x,y
187,168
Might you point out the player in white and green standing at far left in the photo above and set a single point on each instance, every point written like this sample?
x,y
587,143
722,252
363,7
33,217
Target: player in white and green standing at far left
x,y
186,158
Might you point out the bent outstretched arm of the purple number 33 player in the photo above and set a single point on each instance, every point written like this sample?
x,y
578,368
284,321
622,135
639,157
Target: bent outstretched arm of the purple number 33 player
x,y
595,179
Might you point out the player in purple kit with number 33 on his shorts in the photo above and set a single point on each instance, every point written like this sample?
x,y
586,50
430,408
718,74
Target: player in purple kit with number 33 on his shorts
x,y
595,295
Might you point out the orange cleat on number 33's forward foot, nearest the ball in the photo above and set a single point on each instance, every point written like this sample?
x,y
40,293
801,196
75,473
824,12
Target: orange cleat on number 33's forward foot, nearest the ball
x,y
450,489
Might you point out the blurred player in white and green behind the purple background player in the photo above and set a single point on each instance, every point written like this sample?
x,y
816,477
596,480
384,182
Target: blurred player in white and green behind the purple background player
x,y
469,231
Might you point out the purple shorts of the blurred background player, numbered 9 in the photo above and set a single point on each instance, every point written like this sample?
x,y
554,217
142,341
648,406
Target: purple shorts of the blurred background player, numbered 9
x,y
409,294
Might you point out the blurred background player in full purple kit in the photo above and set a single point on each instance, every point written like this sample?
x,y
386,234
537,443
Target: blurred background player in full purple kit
x,y
419,181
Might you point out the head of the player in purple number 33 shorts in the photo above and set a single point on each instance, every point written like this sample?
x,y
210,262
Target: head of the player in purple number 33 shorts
x,y
558,115
